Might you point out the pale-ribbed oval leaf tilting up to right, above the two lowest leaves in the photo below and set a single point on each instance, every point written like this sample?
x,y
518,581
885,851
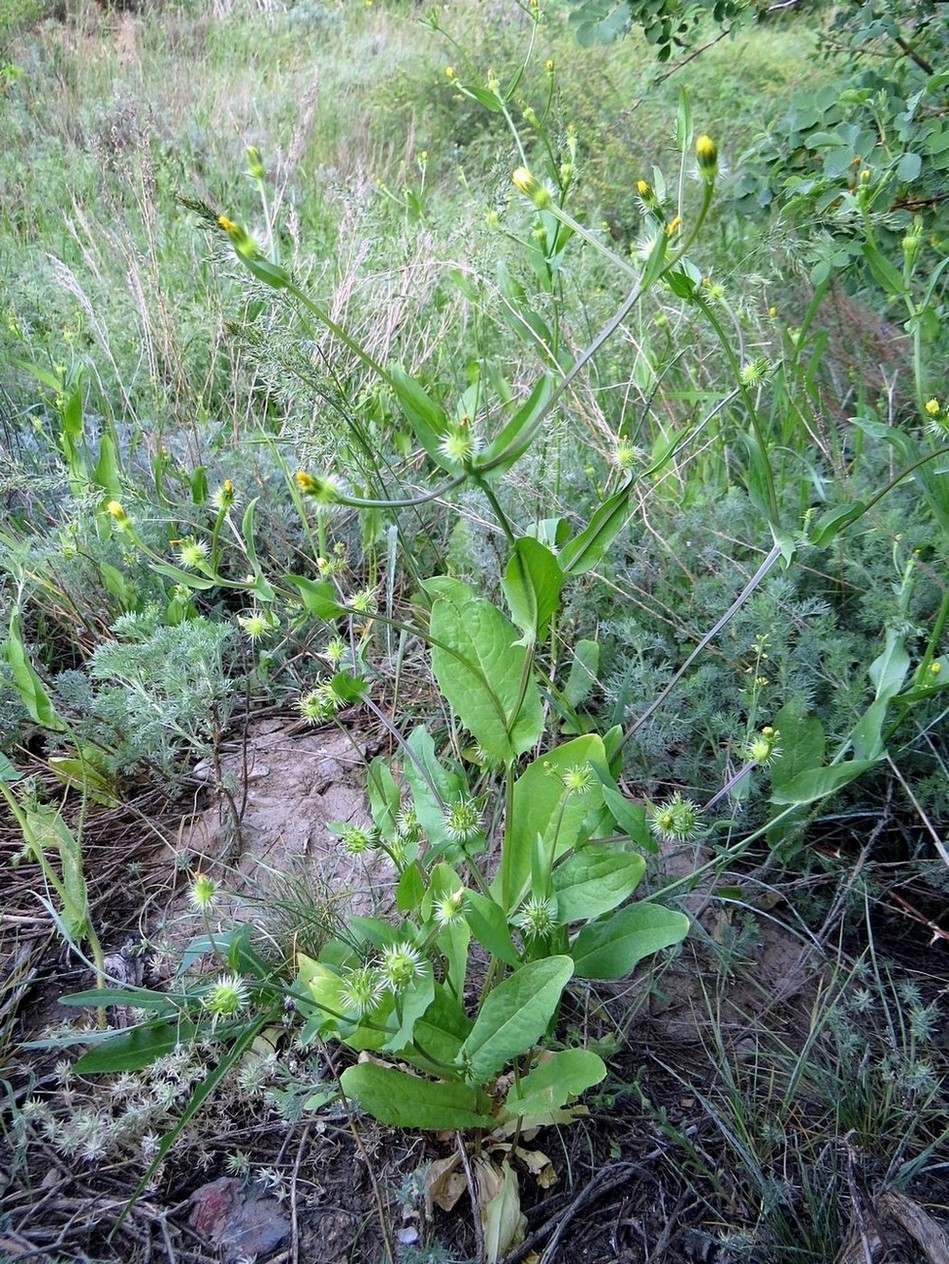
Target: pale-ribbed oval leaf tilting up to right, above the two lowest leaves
x,y
515,1017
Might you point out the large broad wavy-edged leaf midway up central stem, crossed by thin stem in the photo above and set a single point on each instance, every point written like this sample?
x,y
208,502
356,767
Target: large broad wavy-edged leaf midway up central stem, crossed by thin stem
x,y
482,672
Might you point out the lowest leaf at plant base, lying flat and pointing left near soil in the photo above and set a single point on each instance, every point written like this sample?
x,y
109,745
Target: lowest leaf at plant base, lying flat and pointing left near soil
x,y
401,1100
